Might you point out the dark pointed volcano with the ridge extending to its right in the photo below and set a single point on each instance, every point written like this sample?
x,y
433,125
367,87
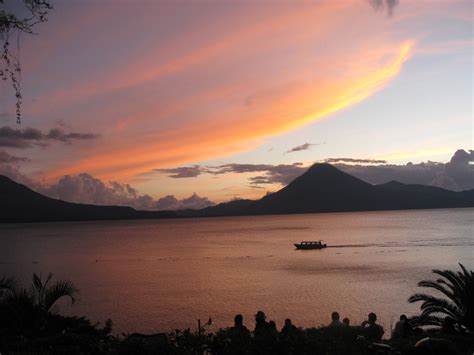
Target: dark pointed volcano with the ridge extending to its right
x,y
324,188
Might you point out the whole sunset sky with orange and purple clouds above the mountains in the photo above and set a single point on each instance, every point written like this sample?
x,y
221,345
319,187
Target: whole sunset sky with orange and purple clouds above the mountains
x,y
175,97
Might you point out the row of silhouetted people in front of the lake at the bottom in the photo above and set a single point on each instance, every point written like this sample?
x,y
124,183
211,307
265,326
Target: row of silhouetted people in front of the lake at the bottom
x,y
266,339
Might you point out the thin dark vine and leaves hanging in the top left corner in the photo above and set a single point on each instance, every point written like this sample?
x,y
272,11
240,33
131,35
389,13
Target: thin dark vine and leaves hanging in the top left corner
x,y
20,18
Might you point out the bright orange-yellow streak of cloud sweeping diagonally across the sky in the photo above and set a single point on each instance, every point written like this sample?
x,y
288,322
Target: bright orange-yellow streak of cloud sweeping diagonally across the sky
x,y
240,126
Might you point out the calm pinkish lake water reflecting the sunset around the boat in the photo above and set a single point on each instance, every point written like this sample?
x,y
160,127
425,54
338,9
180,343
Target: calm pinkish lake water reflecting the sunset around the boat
x,y
156,275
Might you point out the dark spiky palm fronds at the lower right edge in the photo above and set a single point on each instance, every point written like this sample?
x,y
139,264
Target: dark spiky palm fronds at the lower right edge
x,y
457,303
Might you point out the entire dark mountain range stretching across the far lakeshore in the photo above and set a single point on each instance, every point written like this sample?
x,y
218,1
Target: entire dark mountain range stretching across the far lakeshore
x,y
322,188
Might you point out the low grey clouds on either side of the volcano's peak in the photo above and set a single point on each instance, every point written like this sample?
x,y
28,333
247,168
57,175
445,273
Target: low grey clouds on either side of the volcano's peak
x,y
457,174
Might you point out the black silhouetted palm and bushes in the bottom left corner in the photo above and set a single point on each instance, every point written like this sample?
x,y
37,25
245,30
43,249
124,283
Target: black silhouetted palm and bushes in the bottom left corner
x,y
29,325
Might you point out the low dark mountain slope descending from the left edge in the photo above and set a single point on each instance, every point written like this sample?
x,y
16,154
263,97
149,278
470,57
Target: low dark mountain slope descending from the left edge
x,y
19,203
